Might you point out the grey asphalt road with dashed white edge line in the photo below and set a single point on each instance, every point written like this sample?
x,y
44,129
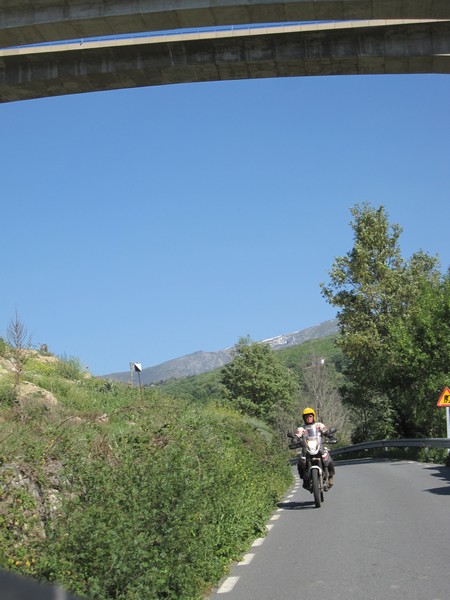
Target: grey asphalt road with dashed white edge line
x,y
383,533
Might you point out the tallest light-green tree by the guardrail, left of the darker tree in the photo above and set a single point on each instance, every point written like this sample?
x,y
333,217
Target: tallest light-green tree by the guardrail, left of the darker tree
x,y
378,294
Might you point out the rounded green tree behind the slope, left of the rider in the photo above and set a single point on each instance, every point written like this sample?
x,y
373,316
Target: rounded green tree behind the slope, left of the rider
x,y
257,383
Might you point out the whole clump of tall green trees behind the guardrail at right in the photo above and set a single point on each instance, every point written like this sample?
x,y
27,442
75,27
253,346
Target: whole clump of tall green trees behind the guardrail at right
x,y
394,329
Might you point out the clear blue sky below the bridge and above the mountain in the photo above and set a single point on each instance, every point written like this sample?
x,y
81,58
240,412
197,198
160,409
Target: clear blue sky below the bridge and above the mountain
x,y
142,225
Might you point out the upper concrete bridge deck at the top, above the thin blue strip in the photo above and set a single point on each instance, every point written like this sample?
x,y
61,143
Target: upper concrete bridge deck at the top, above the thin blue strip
x,y
36,21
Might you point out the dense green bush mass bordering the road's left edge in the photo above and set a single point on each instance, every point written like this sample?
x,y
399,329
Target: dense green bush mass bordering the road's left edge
x,y
162,508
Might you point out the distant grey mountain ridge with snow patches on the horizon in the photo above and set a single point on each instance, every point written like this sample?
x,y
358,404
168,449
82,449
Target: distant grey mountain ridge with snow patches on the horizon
x,y
202,362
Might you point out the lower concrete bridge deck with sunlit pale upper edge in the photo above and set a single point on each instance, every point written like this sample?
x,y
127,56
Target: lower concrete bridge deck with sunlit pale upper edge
x,y
333,49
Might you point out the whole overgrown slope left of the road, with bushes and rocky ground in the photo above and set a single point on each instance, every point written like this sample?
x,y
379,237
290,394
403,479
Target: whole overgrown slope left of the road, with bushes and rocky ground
x,y
114,494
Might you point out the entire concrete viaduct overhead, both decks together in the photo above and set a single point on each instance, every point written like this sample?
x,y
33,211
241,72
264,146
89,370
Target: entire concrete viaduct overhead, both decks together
x,y
337,37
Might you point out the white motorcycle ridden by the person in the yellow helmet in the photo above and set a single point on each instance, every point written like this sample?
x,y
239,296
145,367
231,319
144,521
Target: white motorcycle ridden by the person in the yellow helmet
x,y
316,455
